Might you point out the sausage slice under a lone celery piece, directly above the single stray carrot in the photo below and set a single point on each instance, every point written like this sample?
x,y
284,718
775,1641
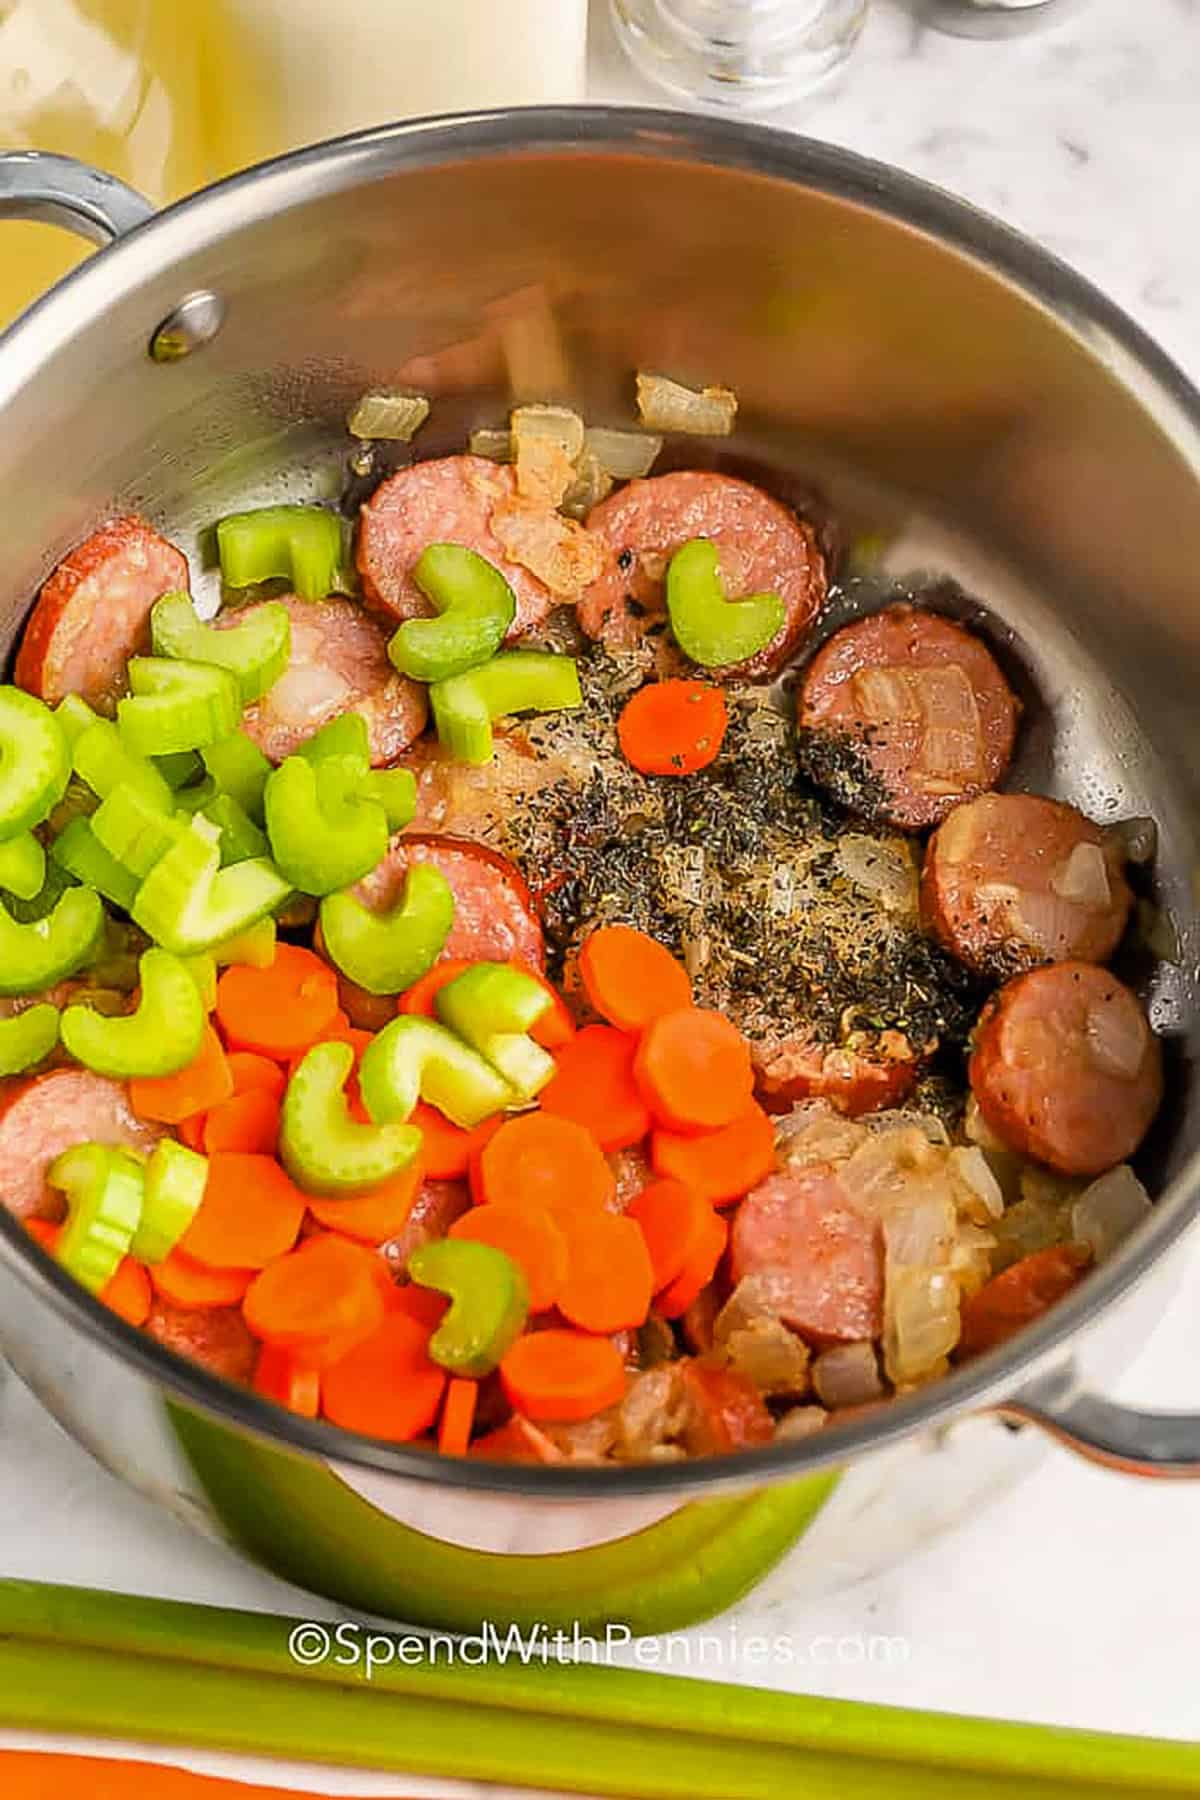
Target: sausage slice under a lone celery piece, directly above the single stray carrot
x,y
764,550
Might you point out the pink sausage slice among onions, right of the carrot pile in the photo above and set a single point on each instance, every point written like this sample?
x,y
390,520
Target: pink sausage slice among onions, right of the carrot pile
x,y
819,1263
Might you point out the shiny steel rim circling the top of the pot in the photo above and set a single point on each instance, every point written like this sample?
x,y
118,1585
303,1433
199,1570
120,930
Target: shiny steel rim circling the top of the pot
x,y
758,152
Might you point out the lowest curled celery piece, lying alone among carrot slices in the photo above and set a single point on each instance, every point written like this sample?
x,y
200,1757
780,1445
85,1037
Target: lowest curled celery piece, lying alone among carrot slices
x,y
488,1302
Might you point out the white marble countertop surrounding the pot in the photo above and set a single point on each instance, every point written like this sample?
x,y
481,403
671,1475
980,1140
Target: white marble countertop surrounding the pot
x,y
1073,1601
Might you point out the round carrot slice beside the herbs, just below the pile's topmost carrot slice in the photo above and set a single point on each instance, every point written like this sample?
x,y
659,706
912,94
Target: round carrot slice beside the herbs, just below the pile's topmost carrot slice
x,y
694,1068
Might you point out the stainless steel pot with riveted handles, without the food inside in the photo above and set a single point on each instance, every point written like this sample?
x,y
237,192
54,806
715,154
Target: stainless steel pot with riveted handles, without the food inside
x,y
933,372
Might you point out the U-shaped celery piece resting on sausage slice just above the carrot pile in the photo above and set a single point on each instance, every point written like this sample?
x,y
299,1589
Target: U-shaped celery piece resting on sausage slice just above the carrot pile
x,y
386,953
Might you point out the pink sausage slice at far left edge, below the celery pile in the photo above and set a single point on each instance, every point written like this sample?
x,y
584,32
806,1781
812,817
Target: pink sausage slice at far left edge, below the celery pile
x,y
51,1113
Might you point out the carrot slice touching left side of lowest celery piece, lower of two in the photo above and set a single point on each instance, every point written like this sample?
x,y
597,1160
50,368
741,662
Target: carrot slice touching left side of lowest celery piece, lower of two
x,y
386,1387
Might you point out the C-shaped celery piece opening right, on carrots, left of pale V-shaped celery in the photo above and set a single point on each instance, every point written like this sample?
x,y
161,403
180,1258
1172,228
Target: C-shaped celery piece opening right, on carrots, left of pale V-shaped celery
x,y
323,1147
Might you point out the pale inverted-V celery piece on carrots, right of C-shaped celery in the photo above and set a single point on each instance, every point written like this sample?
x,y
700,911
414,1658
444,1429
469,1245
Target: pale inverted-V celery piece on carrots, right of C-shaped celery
x,y
416,1059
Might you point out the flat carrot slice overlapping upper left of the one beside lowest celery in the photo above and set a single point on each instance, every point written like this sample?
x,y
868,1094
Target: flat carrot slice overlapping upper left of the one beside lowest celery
x,y
323,1291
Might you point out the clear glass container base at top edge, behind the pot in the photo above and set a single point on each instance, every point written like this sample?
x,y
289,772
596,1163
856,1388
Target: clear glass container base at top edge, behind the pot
x,y
739,55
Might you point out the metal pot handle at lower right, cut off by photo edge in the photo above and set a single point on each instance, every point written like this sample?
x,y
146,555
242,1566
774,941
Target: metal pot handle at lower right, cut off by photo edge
x,y
1120,1437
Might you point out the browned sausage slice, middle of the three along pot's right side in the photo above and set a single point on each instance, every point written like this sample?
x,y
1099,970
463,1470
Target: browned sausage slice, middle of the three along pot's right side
x,y
1014,881
